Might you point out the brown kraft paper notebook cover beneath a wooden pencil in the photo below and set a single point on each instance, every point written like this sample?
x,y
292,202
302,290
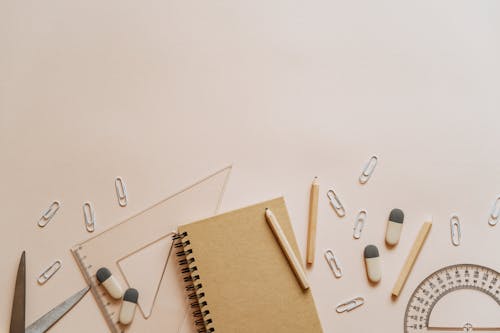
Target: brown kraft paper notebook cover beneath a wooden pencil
x,y
242,279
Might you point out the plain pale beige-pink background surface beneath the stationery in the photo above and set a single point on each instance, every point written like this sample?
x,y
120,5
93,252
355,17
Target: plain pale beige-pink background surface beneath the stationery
x,y
164,93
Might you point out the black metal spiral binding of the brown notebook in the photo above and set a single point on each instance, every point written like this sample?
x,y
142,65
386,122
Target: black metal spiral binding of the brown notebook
x,y
193,284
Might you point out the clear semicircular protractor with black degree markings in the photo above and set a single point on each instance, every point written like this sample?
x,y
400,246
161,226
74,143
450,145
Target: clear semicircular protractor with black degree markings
x,y
457,298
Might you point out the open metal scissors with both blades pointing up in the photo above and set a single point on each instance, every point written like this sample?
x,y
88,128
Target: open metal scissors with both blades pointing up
x,y
17,321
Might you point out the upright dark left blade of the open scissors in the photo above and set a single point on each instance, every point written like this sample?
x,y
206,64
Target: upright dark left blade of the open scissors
x,y
17,319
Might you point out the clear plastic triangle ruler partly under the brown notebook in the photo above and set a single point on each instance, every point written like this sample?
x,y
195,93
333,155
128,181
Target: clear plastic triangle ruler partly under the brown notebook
x,y
138,252
